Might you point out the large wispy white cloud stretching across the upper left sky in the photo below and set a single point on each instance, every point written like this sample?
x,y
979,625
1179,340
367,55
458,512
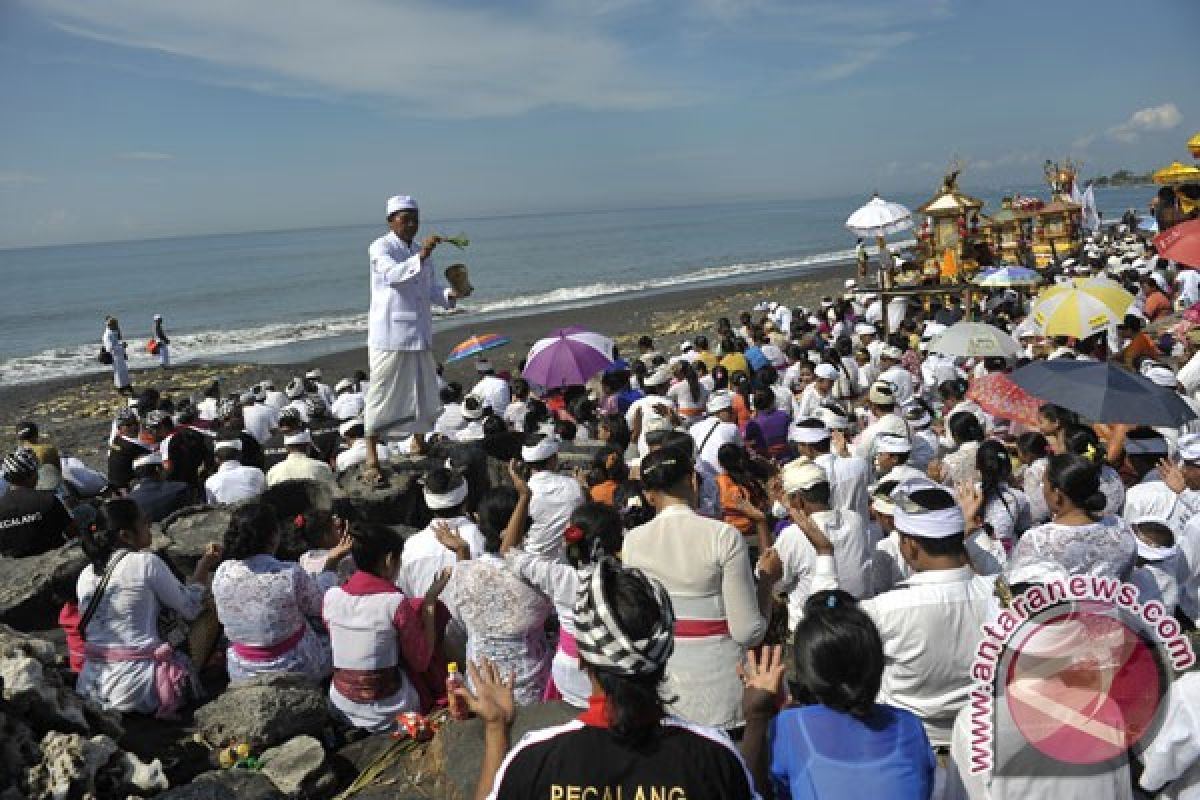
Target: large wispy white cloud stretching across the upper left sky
x,y
421,58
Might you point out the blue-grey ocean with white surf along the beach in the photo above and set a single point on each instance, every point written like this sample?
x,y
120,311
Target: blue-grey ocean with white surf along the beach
x,y
279,296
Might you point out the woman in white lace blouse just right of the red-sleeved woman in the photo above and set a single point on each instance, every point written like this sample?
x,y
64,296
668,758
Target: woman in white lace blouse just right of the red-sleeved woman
x,y
505,617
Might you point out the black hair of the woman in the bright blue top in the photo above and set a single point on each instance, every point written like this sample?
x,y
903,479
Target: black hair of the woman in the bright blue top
x,y
839,655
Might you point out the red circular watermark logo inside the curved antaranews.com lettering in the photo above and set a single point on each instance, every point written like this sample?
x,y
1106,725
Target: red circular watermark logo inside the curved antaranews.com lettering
x,y
1083,685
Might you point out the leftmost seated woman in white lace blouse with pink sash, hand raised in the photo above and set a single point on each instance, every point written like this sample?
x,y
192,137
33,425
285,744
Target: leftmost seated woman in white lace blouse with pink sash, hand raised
x,y
128,667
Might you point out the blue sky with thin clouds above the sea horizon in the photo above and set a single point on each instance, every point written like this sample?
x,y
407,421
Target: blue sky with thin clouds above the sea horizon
x,y
133,119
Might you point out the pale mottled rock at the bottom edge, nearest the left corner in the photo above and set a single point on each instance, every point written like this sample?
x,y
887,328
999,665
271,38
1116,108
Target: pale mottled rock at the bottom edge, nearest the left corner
x,y
75,767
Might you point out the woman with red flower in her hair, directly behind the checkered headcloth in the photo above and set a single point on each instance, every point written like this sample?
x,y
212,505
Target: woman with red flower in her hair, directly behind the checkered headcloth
x,y
596,532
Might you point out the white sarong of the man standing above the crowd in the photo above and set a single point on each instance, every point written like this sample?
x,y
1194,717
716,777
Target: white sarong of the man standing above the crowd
x,y
404,396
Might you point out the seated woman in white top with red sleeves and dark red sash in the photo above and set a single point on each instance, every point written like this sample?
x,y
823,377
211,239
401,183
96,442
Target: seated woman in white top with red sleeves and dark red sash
x,y
386,658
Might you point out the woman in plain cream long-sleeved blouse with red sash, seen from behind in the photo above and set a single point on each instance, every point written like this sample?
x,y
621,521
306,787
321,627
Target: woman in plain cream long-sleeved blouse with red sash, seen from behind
x,y
705,567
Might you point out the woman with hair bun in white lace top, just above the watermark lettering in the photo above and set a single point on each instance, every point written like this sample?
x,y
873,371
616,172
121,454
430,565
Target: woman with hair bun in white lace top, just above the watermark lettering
x,y
1079,539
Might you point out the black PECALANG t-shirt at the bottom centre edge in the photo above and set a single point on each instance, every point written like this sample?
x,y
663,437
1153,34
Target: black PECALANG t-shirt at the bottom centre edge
x,y
584,761
